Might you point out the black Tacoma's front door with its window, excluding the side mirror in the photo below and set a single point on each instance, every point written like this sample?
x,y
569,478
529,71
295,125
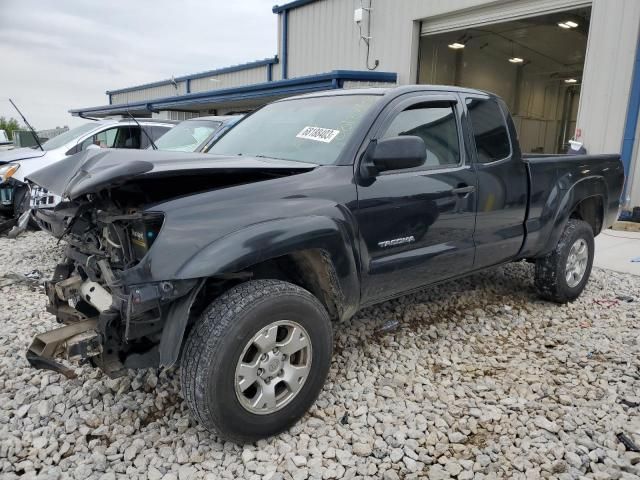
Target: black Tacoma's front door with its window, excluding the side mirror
x,y
417,225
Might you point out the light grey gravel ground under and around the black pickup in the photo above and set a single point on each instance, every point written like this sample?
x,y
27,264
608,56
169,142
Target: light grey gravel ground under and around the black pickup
x,y
478,380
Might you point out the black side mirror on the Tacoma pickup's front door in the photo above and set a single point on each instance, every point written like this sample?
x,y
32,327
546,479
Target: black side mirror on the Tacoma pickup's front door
x,y
396,153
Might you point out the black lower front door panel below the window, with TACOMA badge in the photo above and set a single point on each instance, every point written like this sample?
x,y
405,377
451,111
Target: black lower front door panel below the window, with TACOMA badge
x,y
433,228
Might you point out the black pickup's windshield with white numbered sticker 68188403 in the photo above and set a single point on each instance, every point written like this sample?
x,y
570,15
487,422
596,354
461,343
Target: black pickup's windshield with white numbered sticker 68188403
x,y
312,130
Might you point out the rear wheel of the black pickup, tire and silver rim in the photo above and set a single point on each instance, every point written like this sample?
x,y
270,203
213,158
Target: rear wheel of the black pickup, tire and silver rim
x,y
553,280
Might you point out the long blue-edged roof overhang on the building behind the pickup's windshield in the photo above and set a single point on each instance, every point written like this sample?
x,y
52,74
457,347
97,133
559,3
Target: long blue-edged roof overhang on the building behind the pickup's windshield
x,y
245,95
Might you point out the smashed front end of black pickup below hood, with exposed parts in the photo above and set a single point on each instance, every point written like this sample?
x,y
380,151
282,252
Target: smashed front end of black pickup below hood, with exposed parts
x,y
109,322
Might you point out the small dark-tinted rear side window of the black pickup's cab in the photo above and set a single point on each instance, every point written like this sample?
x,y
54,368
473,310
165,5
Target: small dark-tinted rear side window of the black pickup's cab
x,y
489,130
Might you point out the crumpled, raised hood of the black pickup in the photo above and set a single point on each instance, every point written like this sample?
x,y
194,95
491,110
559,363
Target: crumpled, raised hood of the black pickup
x,y
93,170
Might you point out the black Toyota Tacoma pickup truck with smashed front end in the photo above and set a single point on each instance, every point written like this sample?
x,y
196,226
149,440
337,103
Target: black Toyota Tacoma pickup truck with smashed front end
x,y
310,208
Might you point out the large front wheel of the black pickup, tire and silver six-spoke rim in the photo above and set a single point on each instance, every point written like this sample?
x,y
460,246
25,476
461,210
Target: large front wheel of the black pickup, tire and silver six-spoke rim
x,y
232,328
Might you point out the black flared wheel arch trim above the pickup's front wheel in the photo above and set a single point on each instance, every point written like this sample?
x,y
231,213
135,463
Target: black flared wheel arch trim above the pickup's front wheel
x,y
267,240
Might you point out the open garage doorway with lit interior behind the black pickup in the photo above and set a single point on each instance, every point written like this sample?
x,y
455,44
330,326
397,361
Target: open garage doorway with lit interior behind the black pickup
x,y
535,64
